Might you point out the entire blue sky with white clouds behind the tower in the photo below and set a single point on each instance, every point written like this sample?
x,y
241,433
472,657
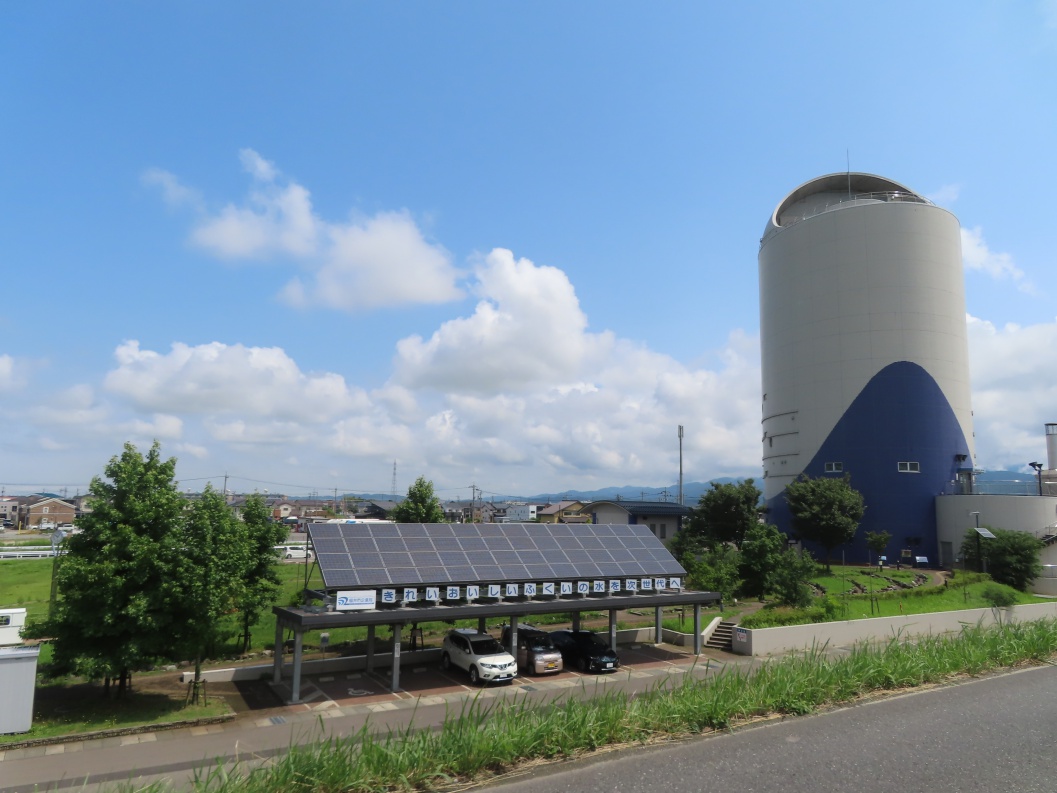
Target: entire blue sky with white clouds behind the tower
x,y
505,245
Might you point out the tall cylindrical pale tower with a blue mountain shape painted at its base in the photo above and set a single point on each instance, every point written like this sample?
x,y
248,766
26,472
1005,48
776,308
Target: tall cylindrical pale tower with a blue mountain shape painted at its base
x,y
865,353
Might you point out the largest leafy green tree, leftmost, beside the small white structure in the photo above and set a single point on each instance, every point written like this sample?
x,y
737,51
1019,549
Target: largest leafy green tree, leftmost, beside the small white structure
x,y
116,611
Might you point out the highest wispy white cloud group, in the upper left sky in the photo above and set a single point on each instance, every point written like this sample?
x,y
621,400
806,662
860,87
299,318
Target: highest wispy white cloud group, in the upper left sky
x,y
363,262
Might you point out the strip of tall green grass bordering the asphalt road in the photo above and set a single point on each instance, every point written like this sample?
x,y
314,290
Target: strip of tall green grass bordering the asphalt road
x,y
487,737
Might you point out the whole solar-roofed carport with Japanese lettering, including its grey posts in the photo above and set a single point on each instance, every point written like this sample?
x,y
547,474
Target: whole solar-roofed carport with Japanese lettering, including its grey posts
x,y
398,575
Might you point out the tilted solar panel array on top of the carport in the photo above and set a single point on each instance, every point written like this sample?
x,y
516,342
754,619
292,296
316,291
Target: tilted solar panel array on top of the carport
x,y
401,555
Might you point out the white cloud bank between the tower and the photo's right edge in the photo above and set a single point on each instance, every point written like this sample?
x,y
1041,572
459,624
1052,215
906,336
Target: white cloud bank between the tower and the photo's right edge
x,y
1014,391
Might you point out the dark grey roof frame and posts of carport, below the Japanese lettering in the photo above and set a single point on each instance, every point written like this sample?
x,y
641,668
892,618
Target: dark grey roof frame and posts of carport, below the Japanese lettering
x,y
303,620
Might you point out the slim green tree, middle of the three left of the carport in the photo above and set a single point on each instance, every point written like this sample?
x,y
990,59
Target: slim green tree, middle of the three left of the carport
x,y
212,583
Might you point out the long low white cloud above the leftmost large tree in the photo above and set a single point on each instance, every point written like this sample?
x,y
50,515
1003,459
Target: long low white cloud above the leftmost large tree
x,y
221,380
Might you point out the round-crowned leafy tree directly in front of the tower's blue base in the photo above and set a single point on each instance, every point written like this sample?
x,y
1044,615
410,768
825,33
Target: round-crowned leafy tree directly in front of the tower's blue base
x,y
826,511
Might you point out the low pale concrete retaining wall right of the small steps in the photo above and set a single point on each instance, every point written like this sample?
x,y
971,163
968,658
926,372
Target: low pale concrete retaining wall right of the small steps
x,y
772,641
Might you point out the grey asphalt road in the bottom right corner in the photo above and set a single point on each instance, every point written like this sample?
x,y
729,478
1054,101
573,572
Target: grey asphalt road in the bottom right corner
x,y
997,735
